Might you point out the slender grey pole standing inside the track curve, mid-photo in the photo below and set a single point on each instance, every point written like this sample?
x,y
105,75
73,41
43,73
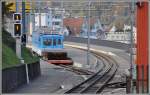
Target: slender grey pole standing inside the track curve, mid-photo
x,y
88,33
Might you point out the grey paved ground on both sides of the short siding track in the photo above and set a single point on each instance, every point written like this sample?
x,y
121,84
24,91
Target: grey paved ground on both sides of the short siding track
x,y
55,79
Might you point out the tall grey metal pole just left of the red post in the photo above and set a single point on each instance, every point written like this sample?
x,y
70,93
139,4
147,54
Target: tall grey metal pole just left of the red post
x,y
131,44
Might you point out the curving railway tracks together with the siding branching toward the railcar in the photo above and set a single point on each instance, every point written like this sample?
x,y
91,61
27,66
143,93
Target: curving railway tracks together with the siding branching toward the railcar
x,y
97,81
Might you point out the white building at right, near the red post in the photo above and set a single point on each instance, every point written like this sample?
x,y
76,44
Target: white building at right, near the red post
x,y
122,36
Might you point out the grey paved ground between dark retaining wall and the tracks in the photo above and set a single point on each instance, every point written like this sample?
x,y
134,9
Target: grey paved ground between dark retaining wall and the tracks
x,y
51,80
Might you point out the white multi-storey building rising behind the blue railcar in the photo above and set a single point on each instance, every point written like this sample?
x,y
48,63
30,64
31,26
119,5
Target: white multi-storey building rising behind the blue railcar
x,y
50,20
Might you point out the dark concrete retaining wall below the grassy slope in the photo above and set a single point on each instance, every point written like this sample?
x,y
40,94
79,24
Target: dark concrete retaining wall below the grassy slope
x,y
14,77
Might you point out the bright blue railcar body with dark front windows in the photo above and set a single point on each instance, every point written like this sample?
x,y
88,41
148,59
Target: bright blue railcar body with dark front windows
x,y
42,42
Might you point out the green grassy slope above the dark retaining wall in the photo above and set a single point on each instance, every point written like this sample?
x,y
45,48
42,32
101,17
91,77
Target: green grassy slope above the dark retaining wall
x,y
9,57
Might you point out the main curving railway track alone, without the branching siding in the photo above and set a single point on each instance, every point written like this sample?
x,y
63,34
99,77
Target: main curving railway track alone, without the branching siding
x,y
97,82
